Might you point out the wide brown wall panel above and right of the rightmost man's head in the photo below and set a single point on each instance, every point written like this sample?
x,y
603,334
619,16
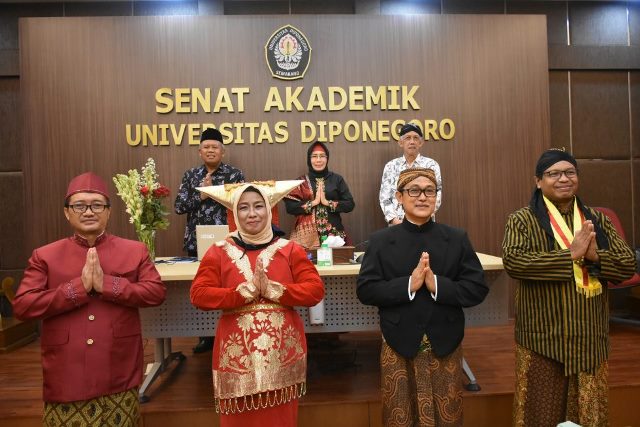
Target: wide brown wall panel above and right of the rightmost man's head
x,y
600,114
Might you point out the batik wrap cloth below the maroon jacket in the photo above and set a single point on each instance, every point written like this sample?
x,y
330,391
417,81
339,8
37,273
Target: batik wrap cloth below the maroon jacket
x,y
115,410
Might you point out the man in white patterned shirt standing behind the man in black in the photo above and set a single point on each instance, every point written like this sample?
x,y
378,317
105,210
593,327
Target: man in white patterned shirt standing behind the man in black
x,y
410,141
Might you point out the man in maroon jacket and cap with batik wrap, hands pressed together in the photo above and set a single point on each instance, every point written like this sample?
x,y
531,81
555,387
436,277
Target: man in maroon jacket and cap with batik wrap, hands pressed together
x,y
87,288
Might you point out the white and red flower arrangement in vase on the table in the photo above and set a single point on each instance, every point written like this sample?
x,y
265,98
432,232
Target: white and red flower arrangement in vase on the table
x,y
142,195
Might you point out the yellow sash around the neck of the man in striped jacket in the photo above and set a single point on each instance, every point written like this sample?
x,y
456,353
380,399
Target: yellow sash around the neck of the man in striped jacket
x,y
585,284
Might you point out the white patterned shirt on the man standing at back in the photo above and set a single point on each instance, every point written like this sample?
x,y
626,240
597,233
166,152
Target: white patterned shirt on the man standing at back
x,y
388,186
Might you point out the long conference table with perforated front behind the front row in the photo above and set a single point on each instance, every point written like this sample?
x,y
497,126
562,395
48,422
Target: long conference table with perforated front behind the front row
x,y
343,312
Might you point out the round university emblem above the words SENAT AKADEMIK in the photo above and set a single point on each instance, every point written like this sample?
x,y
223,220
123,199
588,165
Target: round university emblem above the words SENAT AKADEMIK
x,y
288,53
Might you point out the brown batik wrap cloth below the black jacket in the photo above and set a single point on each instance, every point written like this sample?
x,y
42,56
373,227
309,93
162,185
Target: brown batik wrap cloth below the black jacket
x,y
424,391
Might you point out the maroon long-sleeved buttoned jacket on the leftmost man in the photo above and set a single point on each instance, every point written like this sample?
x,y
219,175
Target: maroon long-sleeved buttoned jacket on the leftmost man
x,y
91,343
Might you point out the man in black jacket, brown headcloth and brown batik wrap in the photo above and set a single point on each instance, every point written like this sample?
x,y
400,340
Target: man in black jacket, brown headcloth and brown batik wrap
x,y
420,274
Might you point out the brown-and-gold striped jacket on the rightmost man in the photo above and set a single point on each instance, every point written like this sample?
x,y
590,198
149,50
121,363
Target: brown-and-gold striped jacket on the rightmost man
x,y
552,318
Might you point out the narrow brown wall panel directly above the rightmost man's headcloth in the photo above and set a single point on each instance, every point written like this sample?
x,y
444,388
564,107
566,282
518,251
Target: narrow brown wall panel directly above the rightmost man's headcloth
x,y
559,108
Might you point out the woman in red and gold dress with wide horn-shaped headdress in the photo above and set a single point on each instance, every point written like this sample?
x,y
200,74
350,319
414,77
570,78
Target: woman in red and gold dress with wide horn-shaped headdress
x,y
256,278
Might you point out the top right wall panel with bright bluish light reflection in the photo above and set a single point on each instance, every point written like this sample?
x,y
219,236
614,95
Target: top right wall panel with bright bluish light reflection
x,y
598,22
